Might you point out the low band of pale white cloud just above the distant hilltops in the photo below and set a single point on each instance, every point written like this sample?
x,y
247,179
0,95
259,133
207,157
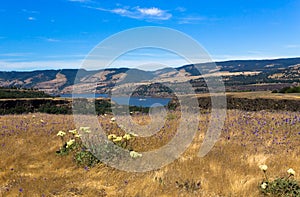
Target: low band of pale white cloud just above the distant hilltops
x,y
10,65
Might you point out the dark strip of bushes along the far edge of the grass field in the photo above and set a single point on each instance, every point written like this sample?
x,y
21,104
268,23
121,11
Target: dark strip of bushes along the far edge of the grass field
x,y
84,106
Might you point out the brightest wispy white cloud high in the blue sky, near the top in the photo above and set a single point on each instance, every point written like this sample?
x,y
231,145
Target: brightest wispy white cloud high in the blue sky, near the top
x,y
152,13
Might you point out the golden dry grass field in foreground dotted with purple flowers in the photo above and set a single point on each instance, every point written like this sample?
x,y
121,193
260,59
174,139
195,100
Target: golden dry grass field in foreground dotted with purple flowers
x,y
30,167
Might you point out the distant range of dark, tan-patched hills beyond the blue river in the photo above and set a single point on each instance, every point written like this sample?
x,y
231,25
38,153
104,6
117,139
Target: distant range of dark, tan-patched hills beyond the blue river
x,y
238,75
